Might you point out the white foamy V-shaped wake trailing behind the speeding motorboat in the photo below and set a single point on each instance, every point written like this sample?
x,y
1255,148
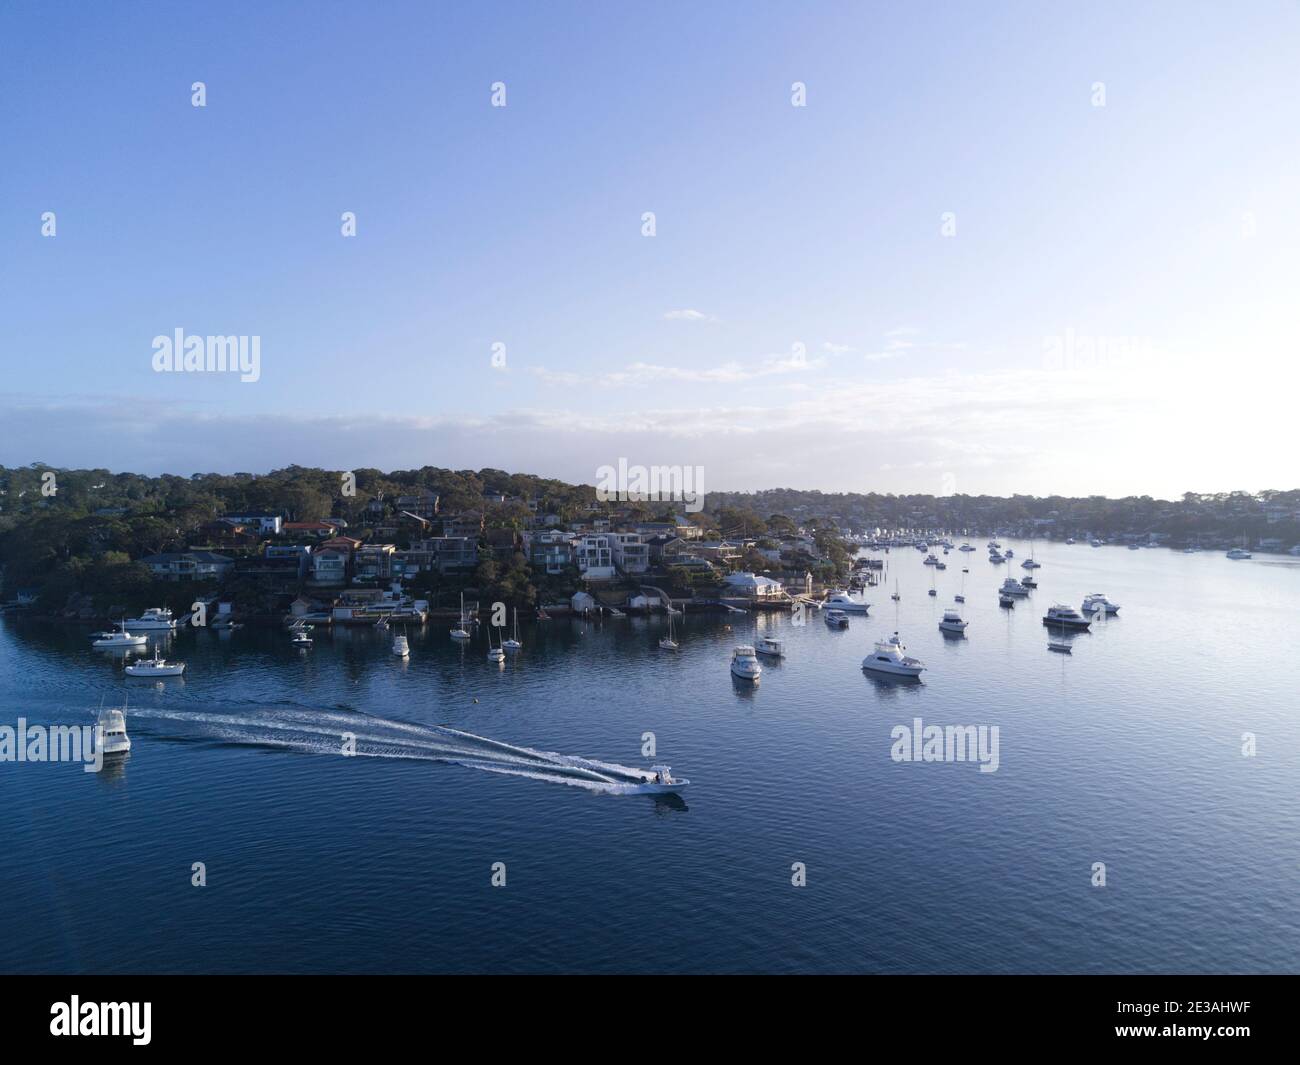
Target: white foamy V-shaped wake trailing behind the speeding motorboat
x,y
324,733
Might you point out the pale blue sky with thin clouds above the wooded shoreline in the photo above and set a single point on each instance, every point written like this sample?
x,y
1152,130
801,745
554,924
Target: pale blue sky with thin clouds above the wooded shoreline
x,y
1162,227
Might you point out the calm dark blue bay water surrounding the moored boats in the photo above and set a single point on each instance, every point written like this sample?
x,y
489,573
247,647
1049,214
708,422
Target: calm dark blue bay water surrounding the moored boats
x,y
1128,752
